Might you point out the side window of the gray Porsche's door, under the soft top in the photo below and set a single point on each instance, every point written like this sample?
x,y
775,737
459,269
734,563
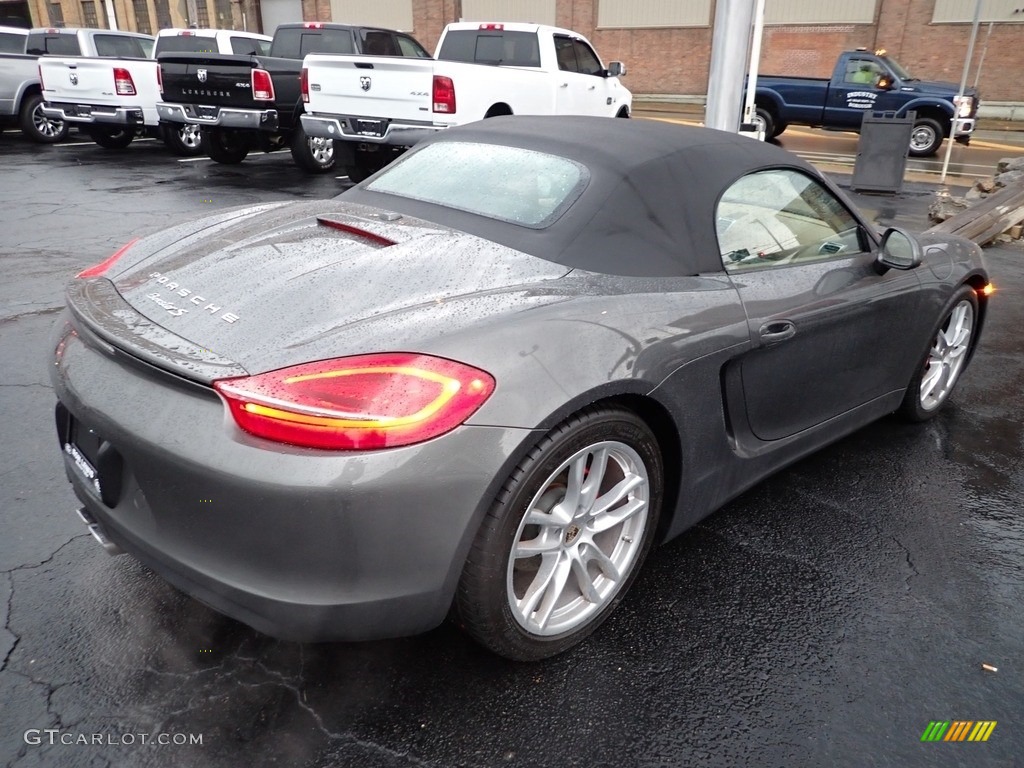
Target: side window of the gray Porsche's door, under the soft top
x,y
781,218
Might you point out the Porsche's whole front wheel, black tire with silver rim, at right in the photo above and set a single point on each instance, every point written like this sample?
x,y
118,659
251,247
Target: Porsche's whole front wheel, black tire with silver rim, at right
x,y
946,360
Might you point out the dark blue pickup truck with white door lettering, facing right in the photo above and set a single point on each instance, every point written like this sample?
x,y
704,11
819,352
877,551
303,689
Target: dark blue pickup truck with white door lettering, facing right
x,y
865,82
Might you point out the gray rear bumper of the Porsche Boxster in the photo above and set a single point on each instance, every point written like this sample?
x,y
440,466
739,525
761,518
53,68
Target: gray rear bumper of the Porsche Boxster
x,y
301,545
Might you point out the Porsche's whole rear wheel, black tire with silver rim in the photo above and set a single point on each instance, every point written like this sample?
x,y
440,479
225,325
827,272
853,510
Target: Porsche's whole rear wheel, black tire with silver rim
x,y
492,579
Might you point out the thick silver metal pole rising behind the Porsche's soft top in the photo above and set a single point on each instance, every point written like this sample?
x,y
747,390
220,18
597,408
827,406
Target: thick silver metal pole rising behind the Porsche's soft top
x,y
730,50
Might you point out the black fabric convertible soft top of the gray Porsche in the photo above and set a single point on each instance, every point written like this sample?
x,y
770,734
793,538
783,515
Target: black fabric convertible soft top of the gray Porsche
x,y
649,209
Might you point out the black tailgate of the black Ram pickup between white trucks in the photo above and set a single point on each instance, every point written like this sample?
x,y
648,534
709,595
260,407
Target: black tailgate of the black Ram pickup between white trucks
x,y
208,79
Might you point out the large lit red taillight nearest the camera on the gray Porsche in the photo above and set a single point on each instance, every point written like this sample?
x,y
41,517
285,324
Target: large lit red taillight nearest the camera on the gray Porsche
x,y
366,403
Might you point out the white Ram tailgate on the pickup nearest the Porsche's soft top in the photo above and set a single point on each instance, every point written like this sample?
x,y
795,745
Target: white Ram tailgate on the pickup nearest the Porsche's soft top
x,y
371,87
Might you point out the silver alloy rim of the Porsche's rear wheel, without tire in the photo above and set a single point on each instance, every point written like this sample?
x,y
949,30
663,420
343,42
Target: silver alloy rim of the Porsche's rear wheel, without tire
x,y
580,539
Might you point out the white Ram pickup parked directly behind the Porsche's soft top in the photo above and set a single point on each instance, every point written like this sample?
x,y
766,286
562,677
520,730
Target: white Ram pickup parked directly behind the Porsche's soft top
x,y
380,106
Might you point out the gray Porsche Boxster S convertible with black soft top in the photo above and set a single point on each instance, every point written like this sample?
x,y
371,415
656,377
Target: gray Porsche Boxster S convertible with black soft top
x,y
491,376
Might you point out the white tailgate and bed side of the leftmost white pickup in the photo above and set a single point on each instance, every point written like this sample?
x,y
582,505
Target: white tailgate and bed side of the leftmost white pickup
x,y
90,81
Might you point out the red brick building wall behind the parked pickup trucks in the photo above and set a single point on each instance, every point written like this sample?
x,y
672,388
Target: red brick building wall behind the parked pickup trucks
x,y
675,62
